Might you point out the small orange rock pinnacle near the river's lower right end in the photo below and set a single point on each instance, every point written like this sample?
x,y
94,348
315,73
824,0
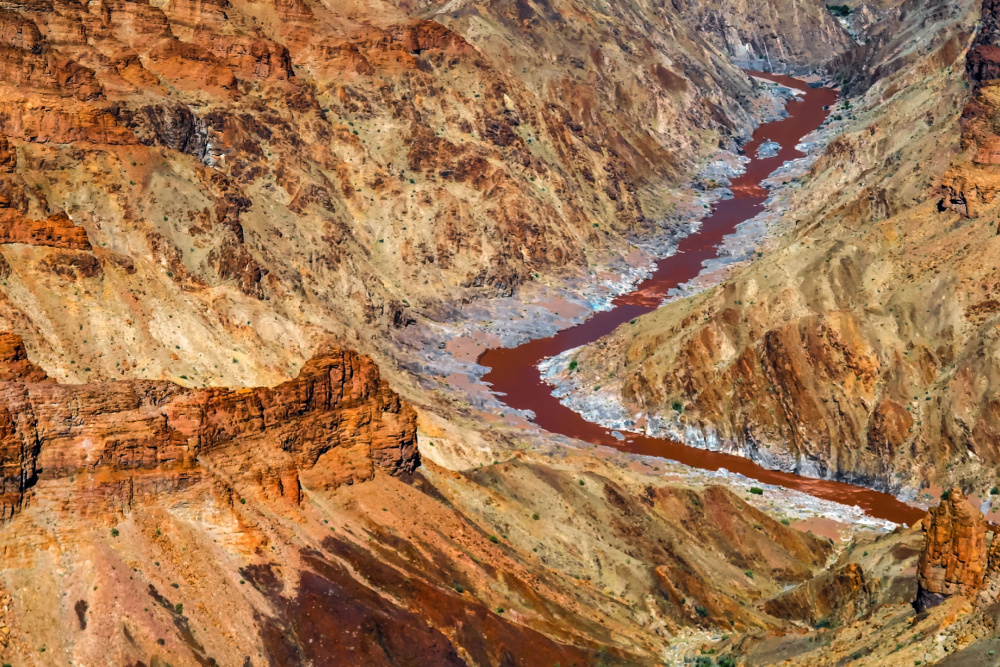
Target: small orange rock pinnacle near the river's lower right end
x,y
954,560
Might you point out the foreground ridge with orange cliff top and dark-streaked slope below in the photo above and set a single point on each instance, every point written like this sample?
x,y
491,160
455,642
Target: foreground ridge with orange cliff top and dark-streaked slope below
x,y
144,522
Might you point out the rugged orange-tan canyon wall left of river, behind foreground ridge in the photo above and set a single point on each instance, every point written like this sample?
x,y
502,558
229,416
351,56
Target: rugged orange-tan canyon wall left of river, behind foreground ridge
x,y
278,177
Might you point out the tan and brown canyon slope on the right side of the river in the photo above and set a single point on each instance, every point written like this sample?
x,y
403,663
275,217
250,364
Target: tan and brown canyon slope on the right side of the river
x,y
858,346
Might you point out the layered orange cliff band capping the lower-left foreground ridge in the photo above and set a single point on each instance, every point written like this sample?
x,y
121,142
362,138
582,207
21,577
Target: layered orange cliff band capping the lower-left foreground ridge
x,y
336,423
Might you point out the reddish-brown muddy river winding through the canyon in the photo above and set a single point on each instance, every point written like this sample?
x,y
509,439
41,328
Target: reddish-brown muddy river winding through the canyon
x,y
514,371
